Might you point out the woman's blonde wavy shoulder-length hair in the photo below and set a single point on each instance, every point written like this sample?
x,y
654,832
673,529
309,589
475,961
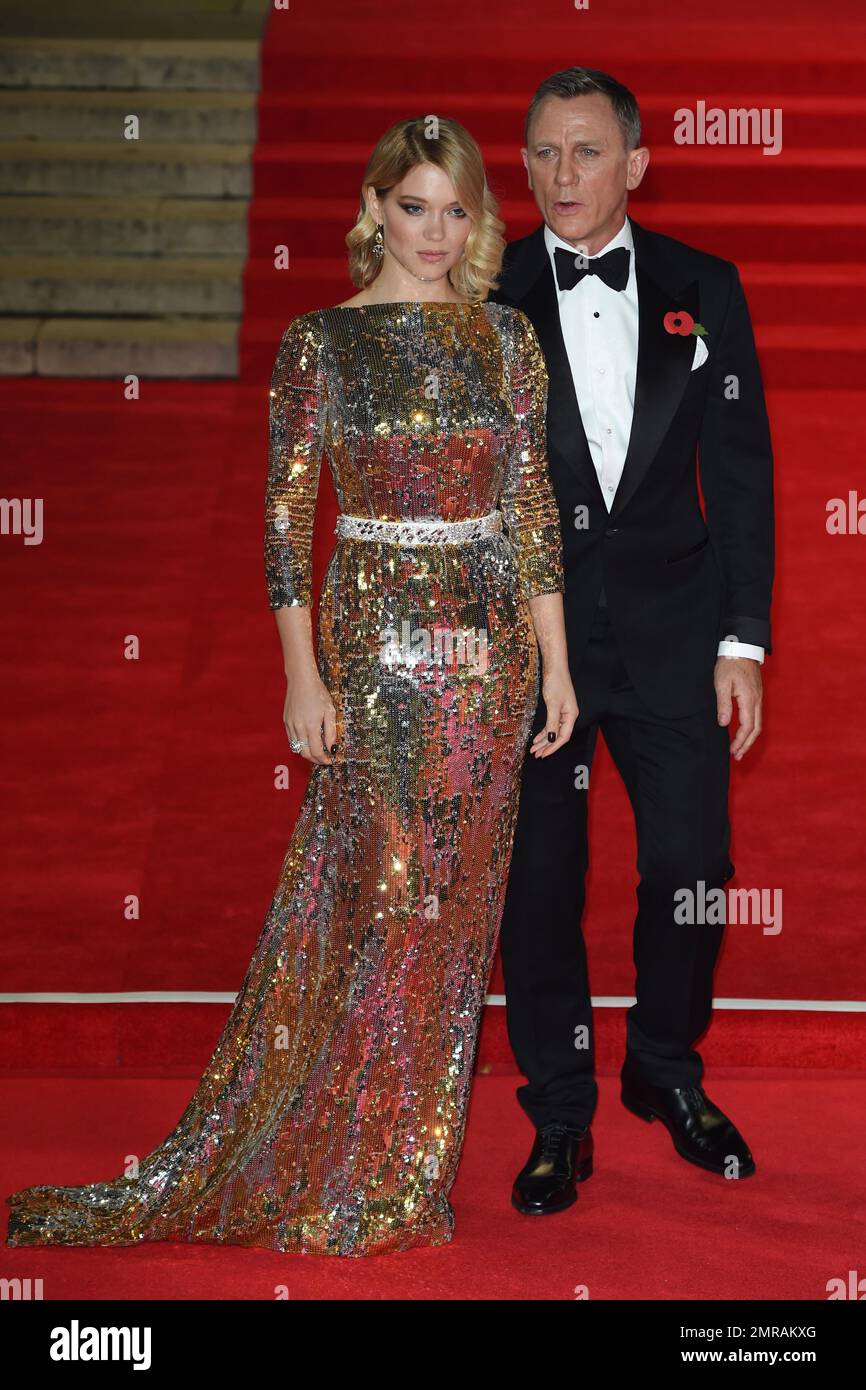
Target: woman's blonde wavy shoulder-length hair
x,y
451,148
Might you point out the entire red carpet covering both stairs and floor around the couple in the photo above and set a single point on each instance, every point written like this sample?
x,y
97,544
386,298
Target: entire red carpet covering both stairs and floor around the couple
x,y
155,778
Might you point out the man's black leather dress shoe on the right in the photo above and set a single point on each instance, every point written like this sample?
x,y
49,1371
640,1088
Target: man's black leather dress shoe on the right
x,y
700,1131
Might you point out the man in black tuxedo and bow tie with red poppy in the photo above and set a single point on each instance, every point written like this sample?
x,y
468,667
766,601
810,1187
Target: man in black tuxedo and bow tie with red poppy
x,y
653,382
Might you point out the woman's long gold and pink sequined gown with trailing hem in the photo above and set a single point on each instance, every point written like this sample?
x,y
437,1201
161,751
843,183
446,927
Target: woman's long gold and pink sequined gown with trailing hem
x,y
332,1115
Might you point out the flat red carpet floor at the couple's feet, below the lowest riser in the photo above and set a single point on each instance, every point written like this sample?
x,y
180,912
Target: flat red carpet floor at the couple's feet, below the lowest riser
x,y
647,1225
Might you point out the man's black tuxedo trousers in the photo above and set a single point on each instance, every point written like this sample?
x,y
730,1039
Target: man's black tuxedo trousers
x,y
676,774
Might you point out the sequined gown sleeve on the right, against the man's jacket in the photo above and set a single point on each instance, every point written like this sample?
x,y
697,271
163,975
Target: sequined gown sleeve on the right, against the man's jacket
x,y
528,500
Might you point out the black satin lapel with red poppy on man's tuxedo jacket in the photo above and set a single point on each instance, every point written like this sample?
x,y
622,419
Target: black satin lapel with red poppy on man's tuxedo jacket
x,y
664,368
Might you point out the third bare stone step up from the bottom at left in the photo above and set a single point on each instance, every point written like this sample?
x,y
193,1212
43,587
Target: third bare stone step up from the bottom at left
x,y
124,226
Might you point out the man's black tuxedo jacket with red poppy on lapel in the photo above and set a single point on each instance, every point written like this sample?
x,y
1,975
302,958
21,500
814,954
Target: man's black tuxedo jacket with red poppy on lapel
x,y
676,579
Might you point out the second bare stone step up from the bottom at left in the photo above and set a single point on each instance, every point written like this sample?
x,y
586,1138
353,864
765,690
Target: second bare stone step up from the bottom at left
x,y
105,286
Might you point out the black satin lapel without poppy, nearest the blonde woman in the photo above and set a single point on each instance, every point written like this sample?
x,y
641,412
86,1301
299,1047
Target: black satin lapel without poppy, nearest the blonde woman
x,y
565,426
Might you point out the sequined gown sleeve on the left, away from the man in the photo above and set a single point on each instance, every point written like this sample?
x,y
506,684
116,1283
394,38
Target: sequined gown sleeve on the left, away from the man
x,y
297,437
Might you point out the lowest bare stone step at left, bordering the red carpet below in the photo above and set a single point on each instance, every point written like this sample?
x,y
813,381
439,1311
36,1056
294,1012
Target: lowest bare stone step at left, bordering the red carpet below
x,y
188,348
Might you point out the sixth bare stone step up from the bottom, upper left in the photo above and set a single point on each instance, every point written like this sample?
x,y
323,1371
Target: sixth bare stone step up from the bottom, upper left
x,y
158,65
